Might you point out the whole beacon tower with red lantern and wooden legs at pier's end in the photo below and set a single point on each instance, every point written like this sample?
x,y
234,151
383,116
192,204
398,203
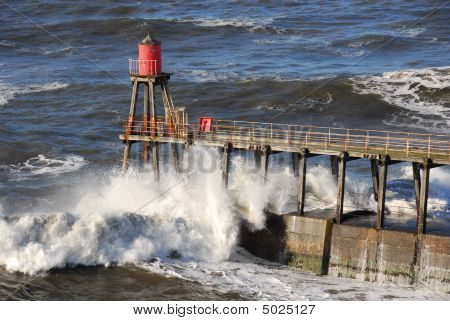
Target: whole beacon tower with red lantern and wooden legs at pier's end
x,y
146,73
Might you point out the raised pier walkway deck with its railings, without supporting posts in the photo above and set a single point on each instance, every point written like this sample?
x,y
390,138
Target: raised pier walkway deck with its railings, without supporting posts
x,y
356,143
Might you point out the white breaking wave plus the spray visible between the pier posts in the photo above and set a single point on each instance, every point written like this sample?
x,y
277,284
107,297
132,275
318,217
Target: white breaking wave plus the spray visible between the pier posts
x,y
131,218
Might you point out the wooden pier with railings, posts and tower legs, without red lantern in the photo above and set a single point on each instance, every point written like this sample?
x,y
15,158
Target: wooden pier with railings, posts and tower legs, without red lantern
x,y
380,148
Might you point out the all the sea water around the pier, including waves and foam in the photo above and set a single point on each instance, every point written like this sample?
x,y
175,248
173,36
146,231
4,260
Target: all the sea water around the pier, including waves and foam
x,y
74,227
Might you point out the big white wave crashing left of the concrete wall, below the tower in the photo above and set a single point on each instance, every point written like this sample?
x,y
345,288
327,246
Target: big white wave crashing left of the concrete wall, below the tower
x,y
119,222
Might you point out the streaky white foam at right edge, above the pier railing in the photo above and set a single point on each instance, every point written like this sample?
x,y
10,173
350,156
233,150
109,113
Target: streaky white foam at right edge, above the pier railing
x,y
413,90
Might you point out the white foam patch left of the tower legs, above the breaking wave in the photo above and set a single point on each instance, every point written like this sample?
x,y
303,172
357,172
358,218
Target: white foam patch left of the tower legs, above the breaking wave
x,y
44,165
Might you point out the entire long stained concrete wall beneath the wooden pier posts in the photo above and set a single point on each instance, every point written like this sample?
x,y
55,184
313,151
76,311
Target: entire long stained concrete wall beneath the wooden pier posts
x,y
363,253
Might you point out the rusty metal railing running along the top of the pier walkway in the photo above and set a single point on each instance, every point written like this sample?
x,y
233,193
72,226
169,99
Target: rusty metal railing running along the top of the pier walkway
x,y
285,135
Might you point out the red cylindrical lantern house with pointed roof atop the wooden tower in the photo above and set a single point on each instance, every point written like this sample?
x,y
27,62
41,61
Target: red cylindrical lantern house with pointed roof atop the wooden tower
x,y
150,61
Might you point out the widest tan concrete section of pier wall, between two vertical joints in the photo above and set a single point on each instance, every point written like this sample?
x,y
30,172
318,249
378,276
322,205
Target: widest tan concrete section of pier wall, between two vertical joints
x,y
373,255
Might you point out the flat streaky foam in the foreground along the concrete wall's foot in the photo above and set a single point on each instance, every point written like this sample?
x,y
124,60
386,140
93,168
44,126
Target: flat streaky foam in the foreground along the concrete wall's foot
x,y
257,279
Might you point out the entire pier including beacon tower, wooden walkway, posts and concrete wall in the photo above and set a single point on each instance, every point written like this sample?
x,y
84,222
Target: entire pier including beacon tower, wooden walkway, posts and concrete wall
x,y
322,245
